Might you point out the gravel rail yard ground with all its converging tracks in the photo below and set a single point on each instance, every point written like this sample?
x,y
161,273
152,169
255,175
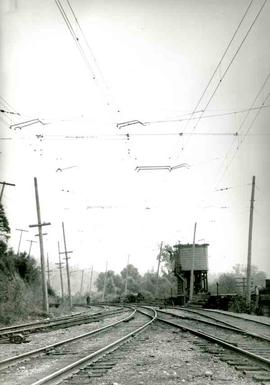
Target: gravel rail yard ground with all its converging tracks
x,y
122,345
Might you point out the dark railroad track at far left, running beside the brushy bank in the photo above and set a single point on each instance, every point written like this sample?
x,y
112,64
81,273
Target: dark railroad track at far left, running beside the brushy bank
x,y
18,332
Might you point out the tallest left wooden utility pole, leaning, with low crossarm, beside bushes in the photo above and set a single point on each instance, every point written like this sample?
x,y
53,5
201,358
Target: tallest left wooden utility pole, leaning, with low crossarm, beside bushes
x,y
42,261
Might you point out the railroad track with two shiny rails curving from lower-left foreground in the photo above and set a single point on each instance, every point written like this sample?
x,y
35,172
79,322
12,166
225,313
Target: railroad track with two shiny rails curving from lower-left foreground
x,y
53,363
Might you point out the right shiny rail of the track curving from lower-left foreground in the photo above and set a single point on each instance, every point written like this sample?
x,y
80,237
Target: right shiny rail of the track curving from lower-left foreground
x,y
67,369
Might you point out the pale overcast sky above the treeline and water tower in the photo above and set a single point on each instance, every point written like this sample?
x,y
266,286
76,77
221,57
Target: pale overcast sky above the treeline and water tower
x,y
150,61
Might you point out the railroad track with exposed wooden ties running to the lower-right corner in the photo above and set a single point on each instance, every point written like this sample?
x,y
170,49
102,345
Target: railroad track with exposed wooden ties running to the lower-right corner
x,y
246,351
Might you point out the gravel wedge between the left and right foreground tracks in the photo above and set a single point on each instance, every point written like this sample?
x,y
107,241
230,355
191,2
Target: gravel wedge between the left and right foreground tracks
x,y
162,355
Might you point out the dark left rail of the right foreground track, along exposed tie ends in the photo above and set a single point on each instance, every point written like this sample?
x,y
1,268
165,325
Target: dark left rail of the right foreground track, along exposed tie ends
x,y
218,341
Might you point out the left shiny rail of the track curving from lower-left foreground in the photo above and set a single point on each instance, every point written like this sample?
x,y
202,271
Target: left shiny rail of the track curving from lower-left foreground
x,y
11,360
